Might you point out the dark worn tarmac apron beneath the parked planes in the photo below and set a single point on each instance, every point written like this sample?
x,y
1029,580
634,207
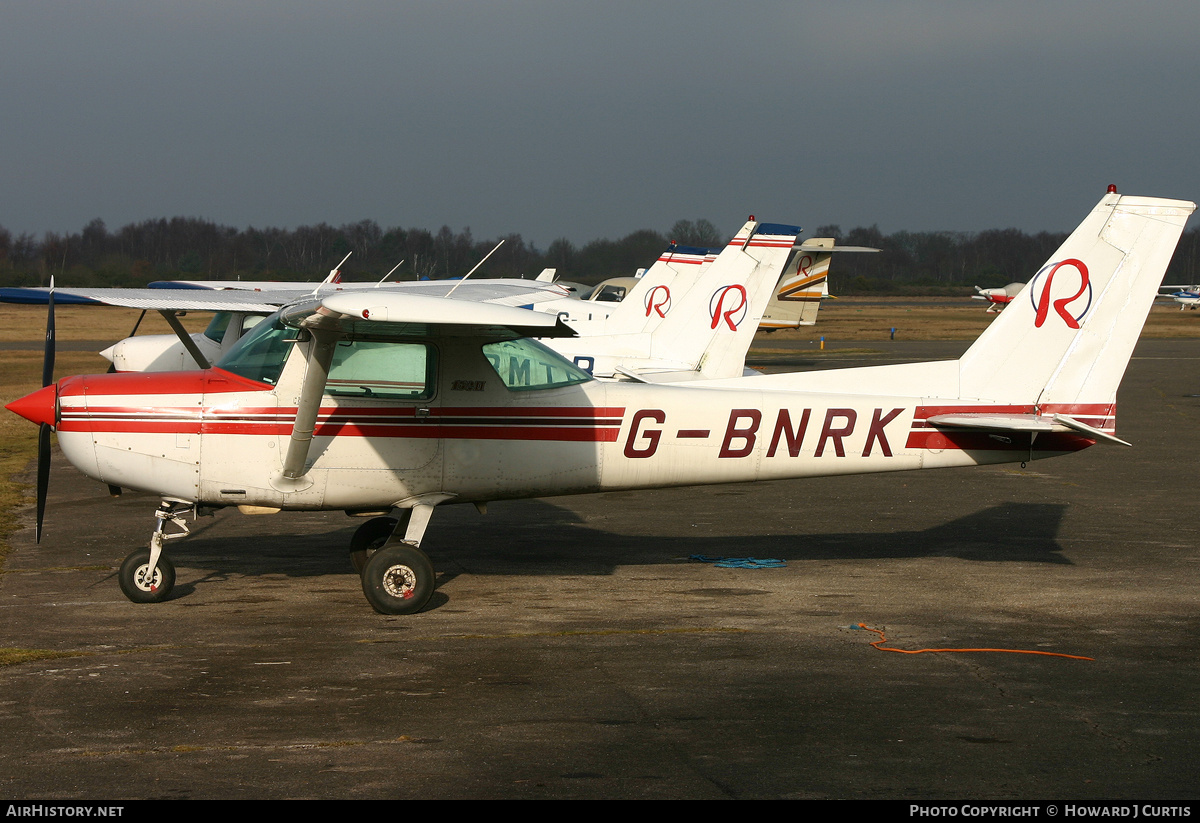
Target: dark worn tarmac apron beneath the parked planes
x,y
573,650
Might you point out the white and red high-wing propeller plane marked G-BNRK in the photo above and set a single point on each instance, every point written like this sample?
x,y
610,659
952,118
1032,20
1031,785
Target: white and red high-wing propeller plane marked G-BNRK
x,y
395,404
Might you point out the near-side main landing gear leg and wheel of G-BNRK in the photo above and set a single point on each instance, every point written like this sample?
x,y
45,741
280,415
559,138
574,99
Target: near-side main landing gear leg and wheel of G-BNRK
x,y
399,579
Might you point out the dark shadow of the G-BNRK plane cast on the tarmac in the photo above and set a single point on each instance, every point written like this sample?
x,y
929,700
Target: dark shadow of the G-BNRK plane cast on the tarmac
x,y
538,538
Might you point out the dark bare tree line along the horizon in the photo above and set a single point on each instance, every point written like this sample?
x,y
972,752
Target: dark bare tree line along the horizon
x,y
191,249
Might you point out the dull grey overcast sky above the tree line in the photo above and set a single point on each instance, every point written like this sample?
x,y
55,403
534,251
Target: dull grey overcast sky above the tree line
x,y
593,119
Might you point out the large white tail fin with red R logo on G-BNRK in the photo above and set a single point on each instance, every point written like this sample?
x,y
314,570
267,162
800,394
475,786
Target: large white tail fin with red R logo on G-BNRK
x,y
1066,340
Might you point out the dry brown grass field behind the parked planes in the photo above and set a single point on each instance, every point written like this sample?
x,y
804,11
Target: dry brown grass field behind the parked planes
x,y
847,320
